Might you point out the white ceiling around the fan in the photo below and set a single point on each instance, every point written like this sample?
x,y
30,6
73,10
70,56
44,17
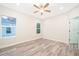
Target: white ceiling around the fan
x,y
28,9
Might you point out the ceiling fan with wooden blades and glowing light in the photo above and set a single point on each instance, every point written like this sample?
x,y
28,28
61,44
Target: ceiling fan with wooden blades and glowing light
x,y
42,8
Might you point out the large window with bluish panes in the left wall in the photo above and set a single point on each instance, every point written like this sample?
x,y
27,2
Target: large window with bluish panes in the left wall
x,y
7,26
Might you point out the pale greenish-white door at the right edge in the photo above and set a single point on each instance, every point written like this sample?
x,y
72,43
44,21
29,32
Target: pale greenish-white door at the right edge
x,y
74,30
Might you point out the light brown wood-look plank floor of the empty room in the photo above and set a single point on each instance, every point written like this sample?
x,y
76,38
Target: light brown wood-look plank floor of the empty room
x,y
39,47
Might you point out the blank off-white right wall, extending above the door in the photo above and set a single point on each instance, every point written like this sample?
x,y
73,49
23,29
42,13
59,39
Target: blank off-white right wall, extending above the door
x,y
57,28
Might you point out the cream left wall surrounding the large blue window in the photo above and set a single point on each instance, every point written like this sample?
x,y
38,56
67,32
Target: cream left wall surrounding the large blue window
x,y
25,27
